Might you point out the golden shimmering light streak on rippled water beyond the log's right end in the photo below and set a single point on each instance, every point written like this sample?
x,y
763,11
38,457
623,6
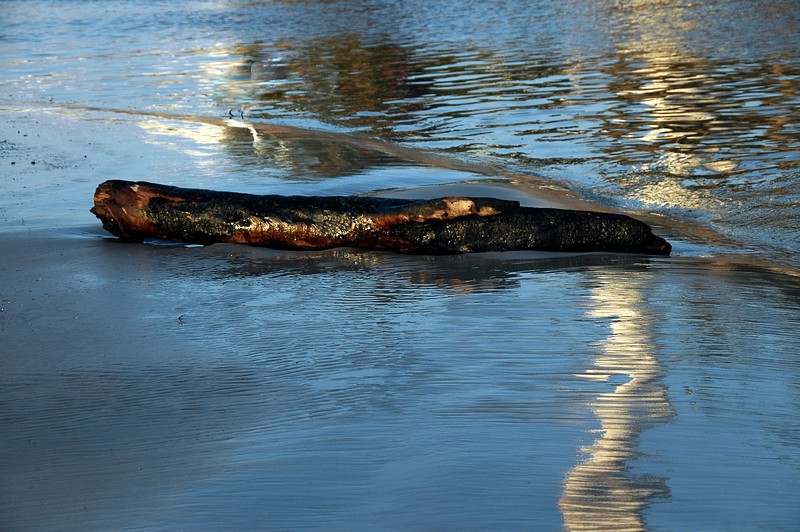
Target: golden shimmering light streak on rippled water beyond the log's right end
x,y
674,87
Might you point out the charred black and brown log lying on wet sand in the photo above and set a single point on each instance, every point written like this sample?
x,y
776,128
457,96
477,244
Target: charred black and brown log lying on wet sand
x,y
135,211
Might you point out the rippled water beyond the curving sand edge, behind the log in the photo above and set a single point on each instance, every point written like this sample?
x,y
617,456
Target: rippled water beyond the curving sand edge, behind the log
x,y
672,107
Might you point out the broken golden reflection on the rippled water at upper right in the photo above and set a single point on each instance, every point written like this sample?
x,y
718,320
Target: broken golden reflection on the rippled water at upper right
x,y
679,101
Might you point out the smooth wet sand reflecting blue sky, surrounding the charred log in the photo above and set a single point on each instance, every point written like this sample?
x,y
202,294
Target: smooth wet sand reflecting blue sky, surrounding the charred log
x,y
163,386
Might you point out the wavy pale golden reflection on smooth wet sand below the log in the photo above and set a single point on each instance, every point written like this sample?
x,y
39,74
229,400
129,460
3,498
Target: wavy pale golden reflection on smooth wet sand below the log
x,y
598,494
